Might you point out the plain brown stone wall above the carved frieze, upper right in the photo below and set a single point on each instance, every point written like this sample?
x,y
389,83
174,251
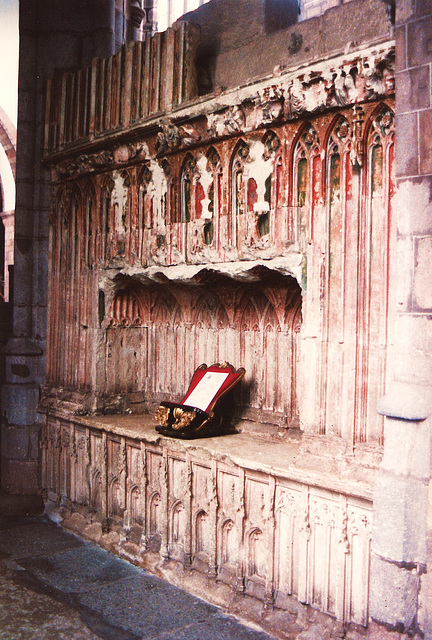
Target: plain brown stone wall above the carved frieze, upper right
x,y
236,46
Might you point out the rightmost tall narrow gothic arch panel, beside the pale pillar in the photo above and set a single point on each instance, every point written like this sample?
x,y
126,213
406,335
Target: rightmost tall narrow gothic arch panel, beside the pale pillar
x,y
373,270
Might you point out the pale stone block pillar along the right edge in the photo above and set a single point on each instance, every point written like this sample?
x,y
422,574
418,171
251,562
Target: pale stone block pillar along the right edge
x,y
401,595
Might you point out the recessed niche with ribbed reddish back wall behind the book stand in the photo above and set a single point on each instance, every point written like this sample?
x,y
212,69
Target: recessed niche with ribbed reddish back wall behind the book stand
x,y
165,331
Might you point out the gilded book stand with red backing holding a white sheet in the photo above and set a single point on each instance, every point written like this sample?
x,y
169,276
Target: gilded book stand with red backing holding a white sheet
x,y
201,412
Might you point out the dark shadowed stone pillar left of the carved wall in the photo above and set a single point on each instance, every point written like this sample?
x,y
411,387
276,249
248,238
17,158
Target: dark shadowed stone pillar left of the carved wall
x,y
53,33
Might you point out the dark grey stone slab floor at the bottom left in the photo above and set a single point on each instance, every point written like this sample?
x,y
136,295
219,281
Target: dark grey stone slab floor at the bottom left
x,y
54,586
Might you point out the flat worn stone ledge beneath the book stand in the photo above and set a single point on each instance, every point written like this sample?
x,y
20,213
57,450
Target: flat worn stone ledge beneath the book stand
x,y
283,458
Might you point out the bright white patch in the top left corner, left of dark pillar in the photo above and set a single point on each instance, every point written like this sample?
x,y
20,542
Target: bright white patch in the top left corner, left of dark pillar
x,y
9,57
